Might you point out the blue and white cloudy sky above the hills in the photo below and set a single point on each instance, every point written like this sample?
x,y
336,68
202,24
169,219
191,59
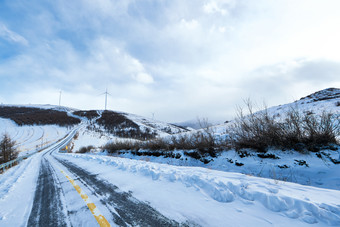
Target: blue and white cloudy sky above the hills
x,y
176,59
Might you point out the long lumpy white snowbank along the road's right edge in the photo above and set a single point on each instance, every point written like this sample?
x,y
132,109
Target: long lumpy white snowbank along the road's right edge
x,y
308,204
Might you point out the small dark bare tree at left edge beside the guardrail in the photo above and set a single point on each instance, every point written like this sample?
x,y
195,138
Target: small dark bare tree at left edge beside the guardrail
x,y
7,150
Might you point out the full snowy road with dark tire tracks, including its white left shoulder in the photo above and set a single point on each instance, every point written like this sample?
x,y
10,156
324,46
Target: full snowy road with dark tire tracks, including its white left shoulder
x,y
49,191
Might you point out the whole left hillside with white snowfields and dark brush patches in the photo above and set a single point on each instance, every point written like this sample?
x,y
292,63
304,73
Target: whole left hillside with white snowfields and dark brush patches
x,y
33,126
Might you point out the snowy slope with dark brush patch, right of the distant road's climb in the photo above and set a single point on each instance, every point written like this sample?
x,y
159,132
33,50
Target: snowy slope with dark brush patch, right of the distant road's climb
x,y
102,130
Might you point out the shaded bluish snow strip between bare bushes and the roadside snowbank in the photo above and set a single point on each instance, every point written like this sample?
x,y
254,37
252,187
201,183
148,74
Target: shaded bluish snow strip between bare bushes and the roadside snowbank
x,y
314,169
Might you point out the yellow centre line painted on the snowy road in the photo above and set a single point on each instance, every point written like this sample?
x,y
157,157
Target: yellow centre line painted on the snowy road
x,y
94,210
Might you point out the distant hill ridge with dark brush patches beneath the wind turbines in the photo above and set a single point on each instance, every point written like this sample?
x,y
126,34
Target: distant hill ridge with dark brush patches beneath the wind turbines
x,y
118,123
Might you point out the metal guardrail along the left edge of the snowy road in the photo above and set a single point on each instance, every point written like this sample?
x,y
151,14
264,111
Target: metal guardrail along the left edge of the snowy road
x,y
67,140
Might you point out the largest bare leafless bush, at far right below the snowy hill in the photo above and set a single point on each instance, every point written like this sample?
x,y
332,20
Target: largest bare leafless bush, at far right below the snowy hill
x,y
296,130
